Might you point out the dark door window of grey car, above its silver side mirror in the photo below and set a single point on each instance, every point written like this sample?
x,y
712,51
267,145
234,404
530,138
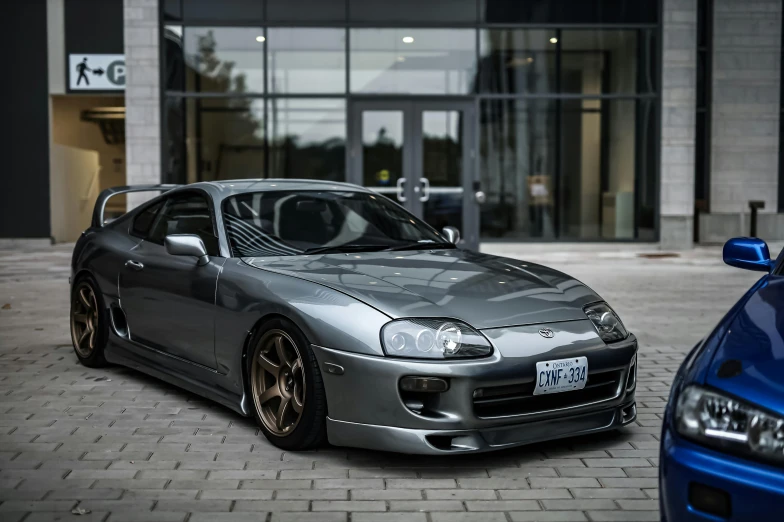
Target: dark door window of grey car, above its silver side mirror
x,y
186,214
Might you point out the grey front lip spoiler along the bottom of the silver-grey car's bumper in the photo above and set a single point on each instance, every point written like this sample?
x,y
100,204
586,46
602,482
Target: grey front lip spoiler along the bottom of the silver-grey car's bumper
x,y
444,442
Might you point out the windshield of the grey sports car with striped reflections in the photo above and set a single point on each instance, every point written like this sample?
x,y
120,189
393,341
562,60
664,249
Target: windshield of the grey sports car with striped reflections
x,y
288,223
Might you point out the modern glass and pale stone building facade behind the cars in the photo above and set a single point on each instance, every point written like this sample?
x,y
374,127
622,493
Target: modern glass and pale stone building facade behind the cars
x,y
514,120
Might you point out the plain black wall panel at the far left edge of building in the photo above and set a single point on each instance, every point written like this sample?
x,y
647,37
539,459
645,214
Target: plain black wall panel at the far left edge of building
x,y
24,95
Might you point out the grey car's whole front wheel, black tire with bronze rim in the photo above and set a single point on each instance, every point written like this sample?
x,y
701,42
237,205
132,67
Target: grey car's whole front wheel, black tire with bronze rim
x,y
287,391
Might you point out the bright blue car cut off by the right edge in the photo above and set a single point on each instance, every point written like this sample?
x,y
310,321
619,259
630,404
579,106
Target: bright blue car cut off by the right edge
x,y
722,450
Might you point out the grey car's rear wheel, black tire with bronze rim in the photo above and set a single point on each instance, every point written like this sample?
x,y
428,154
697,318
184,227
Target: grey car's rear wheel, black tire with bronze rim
x,y
89,323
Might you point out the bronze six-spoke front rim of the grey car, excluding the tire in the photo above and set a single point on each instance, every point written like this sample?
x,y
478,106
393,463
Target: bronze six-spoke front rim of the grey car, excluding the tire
x,y
278,382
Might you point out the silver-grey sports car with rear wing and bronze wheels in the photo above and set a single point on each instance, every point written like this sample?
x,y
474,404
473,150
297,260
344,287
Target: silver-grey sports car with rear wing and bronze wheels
x,y
328,312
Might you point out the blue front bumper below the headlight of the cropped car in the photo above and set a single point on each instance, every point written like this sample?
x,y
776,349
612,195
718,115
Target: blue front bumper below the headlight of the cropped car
x,y
756,491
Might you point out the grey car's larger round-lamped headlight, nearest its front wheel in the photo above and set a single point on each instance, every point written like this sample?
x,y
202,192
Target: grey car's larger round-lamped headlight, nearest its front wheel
x,y
433,339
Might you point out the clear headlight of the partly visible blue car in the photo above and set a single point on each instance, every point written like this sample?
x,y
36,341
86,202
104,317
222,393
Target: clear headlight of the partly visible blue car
x,y
728,424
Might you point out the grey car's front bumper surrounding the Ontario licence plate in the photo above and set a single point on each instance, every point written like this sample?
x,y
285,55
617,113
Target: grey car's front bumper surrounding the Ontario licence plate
x,y
367,408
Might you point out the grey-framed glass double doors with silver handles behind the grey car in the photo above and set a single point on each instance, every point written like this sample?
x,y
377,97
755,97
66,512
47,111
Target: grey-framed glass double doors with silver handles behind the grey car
x,y
420,154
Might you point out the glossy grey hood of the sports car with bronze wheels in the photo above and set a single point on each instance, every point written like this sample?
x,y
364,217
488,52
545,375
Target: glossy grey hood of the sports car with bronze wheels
x,y
484,291
